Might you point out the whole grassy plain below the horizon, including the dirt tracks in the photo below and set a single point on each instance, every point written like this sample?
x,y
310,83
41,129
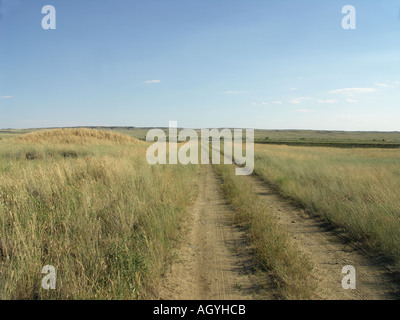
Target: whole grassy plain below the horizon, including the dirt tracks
x,y
86,201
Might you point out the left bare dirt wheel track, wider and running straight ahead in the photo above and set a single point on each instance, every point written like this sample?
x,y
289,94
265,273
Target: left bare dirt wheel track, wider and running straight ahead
x,y
214,260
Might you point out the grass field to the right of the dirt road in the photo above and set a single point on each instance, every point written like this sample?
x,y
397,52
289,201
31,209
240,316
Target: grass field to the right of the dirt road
x,y
354,189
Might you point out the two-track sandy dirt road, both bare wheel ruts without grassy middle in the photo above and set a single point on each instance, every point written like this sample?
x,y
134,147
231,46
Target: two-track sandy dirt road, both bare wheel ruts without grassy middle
x,y
214,260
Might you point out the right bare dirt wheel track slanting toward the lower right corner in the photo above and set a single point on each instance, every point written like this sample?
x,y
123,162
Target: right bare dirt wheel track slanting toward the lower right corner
x,y
330,251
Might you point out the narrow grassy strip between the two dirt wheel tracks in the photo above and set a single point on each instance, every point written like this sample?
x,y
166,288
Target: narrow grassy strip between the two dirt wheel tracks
x,y
274,251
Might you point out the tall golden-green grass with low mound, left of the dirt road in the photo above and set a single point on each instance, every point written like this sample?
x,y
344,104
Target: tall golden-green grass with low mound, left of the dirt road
x,y
88,203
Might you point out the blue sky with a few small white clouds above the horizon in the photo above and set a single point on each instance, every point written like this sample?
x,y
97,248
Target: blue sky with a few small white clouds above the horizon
x,y
284,64
